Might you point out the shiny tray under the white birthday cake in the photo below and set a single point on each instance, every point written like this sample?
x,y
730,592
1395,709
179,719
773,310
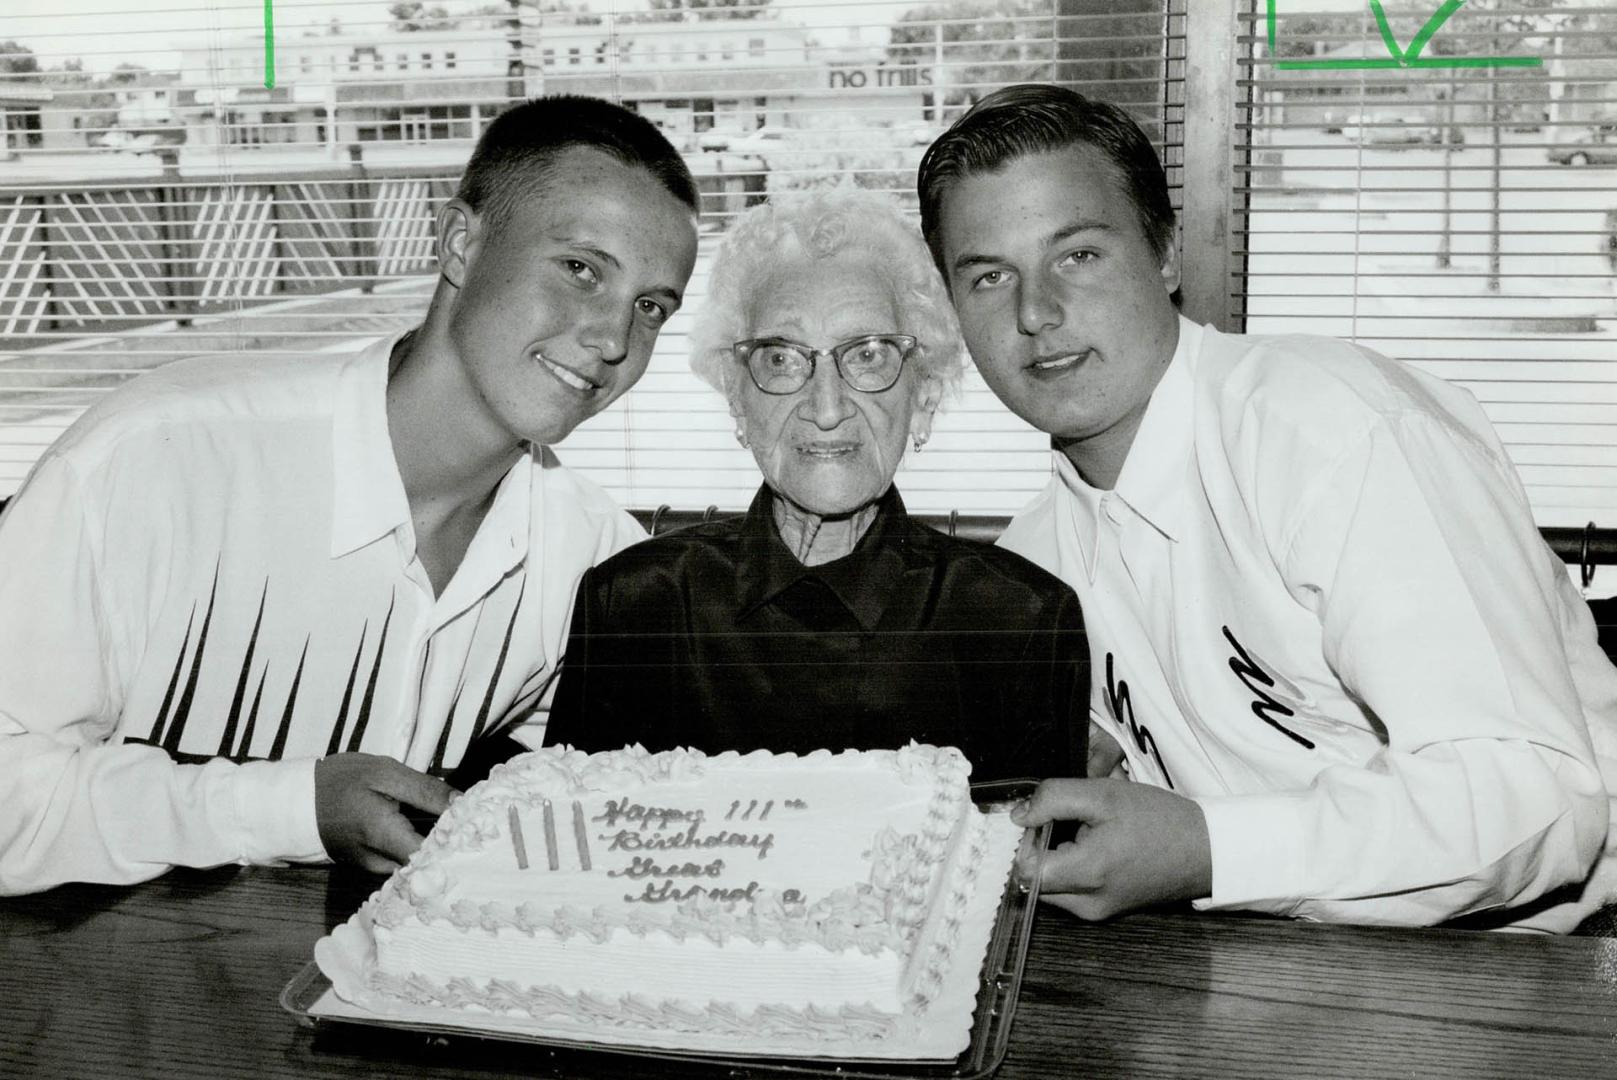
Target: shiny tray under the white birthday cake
x,y
990,1034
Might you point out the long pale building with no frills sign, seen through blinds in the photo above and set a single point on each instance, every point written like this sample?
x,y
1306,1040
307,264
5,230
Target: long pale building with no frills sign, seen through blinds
x,y
426,86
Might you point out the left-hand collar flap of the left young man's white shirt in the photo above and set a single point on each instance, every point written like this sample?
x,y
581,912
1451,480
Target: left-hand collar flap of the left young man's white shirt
x,y
368,496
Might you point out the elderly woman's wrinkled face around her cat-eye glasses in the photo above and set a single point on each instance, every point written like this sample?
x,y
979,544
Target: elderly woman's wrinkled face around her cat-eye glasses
x,y
829,449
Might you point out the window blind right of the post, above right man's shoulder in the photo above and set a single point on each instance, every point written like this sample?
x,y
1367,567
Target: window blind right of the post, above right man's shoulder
x,y
1456,209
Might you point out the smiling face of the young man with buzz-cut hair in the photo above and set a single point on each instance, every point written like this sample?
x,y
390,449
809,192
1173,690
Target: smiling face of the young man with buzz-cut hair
x,y
559,308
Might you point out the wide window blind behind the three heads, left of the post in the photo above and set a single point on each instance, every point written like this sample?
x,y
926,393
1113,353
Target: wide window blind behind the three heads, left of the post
x,y
177,182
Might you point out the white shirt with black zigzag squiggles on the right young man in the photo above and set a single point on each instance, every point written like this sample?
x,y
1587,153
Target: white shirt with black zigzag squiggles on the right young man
x,y
1320,607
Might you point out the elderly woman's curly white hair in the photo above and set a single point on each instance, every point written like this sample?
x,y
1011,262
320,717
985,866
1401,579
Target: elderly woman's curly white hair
x,y
838,224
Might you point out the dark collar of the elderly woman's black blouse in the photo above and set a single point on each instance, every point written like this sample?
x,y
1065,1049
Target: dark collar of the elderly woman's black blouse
x,y
863,580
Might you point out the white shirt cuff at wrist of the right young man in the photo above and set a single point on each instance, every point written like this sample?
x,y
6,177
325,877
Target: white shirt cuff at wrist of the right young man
x,y
1260,853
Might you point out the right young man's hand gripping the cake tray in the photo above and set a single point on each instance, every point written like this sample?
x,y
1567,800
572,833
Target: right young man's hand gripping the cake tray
x,y
1136,846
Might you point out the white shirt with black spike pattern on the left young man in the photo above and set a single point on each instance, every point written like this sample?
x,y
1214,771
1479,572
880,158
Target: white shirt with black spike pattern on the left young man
x,y
211,581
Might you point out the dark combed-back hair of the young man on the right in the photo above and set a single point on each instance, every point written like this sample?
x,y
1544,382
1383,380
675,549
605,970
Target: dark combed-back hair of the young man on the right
x,y
1042,119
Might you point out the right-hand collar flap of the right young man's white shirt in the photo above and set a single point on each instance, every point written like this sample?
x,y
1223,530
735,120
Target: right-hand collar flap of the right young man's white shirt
x,y
1154,475
